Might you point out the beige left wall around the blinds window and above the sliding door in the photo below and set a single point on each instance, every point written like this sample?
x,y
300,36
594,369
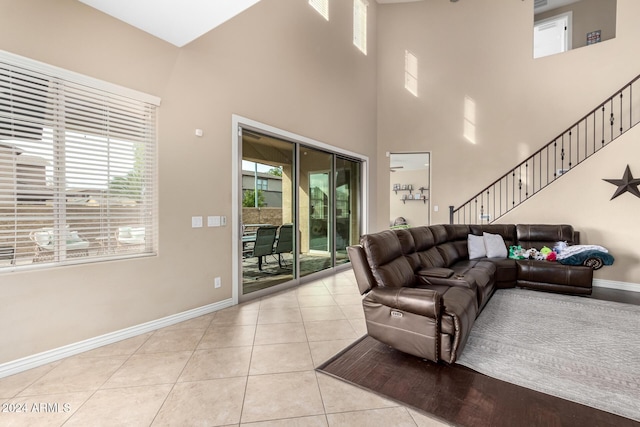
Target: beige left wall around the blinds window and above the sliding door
x,y
278,63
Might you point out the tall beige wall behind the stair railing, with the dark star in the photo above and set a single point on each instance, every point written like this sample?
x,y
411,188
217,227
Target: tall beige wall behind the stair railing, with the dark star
x,y
521,104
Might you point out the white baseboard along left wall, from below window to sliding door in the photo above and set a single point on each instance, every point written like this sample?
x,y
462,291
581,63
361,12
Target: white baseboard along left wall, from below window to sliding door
x,y
39,359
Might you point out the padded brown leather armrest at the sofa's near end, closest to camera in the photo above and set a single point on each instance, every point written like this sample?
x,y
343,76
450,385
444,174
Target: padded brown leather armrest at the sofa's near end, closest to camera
x,y
423,302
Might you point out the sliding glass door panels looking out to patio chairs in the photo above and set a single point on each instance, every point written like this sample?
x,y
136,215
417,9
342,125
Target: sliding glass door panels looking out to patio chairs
x,y
301,208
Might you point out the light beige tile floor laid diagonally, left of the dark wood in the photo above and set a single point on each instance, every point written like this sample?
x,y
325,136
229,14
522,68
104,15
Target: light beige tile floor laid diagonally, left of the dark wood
x,y
248,365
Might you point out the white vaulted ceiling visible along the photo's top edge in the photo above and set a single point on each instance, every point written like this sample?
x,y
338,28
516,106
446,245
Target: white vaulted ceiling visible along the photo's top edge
x,y
178,22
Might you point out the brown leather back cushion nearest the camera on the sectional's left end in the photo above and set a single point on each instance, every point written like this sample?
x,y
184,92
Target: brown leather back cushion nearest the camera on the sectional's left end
x,y
388,264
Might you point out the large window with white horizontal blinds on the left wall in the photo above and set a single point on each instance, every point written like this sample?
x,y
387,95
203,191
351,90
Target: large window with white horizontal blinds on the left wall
x,y
77,167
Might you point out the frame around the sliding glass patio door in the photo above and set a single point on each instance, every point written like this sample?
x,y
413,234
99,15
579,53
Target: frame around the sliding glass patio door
x,y
237,124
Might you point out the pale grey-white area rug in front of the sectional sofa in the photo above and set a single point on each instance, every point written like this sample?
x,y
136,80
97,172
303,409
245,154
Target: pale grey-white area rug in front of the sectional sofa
x,y
576,348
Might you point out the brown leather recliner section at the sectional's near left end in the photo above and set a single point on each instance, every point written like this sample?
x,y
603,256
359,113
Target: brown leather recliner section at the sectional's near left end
x,y
432,323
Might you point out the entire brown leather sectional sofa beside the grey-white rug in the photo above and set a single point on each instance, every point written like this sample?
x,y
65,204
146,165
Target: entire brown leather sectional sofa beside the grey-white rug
x,y
424,293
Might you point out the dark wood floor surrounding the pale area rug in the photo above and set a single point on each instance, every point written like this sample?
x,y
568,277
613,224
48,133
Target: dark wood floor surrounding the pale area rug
x,y
461,396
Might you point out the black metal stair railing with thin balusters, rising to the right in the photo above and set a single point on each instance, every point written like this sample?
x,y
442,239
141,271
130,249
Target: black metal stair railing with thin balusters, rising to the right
x,y
603,124
